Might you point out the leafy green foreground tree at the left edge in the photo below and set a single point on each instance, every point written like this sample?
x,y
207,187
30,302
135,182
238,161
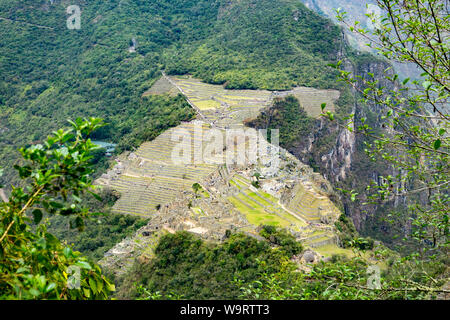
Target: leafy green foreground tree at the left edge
x,y
33,263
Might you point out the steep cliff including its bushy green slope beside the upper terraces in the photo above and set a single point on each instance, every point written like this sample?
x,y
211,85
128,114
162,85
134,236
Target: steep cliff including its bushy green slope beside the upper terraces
x,y
337,153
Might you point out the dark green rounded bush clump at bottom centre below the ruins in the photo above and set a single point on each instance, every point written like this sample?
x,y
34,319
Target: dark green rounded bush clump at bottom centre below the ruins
x,y
188,267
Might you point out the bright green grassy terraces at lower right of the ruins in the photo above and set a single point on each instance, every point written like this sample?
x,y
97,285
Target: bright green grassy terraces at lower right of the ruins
x,y
310,224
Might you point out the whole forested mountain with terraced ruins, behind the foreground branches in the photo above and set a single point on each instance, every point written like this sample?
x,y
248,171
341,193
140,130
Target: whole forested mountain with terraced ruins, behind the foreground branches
x,y
153,69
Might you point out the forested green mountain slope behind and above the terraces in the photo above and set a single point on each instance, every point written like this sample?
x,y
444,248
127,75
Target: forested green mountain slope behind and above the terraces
x,y
50,73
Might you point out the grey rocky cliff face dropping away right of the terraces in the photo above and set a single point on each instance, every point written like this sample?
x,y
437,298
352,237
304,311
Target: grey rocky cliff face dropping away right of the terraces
x,y
337,153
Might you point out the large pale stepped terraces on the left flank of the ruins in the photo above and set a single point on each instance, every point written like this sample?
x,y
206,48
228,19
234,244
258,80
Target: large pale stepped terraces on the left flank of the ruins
x,y
148,179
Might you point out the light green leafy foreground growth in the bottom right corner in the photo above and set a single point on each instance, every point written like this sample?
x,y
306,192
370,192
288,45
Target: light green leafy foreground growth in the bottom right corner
x,y
344,279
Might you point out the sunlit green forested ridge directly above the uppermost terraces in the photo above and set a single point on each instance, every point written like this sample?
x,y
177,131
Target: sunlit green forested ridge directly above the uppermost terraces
x,y
252,46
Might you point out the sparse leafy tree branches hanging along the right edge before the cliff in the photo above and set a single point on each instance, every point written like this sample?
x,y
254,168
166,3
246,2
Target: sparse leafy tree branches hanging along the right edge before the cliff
x,y
415,141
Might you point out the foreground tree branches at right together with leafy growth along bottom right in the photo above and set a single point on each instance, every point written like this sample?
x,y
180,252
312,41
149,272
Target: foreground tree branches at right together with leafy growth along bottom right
x,y
413,139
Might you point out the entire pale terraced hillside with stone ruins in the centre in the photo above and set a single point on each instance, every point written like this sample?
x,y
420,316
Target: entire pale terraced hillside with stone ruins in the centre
x,y
151,180
